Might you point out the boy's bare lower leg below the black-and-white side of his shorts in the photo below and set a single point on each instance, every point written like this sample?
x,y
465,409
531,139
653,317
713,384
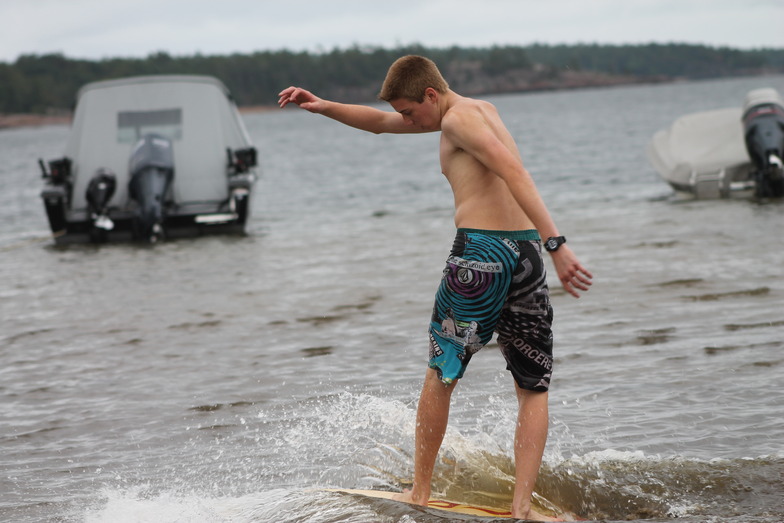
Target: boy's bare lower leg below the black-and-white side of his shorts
x,y
530,439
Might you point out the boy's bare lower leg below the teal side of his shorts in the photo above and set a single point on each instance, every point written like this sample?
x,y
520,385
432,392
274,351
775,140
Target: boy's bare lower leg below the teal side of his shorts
x,y
432,418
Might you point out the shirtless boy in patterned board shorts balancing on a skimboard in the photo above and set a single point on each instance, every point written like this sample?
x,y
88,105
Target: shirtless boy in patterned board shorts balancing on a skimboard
x,y
494,279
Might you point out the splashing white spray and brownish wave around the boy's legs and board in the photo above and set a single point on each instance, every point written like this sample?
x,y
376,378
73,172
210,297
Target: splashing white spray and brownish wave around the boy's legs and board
x,y
366,442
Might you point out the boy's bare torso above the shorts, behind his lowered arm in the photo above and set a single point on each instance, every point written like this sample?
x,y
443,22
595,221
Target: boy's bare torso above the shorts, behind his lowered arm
x,y
482,199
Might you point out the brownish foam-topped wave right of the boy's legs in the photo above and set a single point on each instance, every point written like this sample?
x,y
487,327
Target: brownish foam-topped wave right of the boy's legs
x,y
630,485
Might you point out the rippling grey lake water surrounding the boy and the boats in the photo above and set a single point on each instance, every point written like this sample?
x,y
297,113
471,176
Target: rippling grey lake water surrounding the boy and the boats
x,y
233,378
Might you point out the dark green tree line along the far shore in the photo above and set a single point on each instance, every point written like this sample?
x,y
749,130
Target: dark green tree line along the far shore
x,y
48,83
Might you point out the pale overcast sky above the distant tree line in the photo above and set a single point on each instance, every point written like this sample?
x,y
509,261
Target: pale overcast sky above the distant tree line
x,y
97,29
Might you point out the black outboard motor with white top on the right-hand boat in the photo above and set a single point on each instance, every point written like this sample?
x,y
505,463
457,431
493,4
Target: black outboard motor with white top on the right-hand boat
x,y
763,127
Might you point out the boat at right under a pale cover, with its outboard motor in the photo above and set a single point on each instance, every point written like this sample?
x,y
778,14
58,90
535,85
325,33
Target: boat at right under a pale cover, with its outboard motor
x,y
725,153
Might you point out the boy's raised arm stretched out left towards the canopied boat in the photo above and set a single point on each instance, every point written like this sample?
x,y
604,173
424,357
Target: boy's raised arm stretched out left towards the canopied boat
x,y
360,116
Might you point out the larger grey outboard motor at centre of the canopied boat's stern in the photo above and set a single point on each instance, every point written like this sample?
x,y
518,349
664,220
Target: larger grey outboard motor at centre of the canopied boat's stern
x,y
151,169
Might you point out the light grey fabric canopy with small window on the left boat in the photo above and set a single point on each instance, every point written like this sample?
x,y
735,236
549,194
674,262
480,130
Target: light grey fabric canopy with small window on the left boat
x,y
195,112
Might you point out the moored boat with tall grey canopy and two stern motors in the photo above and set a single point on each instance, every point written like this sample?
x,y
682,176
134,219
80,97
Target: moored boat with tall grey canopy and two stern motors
x,y
150,157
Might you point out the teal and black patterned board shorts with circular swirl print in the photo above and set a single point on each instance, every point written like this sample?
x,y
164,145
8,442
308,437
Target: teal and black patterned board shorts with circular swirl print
x,y
494,281
